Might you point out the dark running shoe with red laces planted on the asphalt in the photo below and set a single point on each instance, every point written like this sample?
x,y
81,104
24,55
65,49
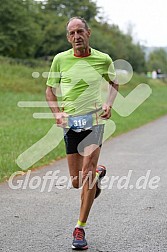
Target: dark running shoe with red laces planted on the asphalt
x,y
79,241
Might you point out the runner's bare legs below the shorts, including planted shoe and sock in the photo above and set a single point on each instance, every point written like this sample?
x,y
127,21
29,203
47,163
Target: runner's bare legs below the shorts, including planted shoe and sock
x,y
86,164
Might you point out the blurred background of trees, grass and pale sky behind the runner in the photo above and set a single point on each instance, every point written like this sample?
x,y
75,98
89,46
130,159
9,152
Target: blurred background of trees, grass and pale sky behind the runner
x,y
32,32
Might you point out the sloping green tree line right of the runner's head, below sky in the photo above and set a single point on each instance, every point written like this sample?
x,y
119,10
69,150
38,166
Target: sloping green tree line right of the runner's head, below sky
x,y
109,39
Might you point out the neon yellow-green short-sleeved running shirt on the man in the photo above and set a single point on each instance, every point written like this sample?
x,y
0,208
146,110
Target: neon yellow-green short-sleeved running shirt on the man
x,y
80,80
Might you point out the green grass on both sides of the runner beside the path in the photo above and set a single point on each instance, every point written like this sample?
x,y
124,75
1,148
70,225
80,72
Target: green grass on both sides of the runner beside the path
x,y
19,130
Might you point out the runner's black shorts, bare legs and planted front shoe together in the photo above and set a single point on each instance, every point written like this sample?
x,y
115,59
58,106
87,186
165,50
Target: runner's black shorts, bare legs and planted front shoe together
x,y
83,159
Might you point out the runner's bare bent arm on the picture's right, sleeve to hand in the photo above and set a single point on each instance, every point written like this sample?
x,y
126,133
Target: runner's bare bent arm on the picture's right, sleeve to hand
x,y
113,90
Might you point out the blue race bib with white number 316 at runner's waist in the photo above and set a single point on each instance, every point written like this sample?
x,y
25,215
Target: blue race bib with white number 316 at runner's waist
x,y
80,122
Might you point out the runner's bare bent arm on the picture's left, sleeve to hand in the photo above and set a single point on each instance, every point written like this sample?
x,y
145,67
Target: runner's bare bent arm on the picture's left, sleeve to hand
x,y
53,104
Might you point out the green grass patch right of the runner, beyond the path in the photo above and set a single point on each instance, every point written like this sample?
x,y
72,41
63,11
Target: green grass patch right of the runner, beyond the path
x,y
154,107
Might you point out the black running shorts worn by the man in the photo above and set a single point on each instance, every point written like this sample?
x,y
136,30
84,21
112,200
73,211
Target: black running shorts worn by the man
x,y
76,141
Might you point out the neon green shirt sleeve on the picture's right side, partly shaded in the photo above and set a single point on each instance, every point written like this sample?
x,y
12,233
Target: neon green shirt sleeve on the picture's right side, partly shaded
x,y
109,74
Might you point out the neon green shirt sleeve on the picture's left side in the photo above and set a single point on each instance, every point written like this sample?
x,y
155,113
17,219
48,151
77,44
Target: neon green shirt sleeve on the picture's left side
x,y
54,76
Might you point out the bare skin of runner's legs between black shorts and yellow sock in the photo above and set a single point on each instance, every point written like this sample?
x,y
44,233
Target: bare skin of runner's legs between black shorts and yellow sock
x,y
88,165
